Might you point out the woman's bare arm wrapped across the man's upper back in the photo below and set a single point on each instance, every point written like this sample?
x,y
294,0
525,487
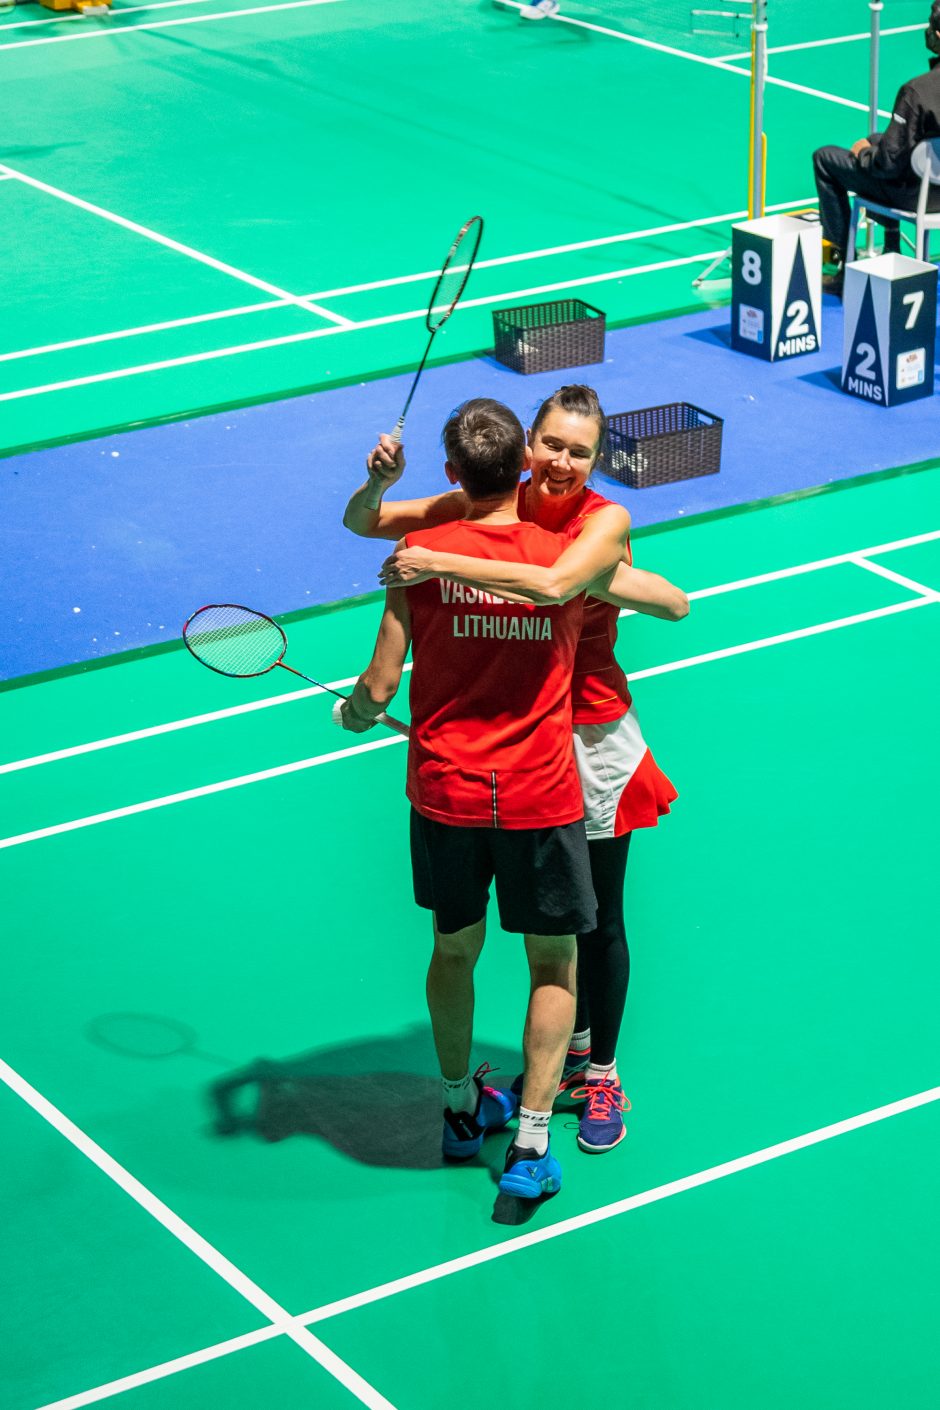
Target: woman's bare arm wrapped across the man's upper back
x,y
602,544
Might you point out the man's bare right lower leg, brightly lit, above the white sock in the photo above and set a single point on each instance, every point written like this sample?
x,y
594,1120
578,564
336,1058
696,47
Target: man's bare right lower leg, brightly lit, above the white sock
x,y
550,1017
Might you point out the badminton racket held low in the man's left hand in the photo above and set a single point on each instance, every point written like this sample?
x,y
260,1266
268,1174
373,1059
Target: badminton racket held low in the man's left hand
x,y
236,641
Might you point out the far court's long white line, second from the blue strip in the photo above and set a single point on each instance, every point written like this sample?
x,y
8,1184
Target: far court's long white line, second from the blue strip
x,y
384,284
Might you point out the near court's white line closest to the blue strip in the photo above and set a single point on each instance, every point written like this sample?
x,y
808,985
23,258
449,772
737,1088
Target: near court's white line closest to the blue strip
x,y
859,556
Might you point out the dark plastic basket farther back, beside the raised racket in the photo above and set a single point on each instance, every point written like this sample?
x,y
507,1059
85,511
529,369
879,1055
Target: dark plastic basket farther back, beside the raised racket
x,y
540,338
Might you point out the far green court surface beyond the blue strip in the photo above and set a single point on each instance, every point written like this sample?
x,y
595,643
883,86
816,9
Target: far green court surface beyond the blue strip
x,y
208,164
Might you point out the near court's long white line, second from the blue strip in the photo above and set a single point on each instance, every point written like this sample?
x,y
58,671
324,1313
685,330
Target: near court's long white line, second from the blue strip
x,y
190,795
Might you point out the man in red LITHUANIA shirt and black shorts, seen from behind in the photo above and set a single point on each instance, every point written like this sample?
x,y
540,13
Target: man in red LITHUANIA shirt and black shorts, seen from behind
x,y
494,789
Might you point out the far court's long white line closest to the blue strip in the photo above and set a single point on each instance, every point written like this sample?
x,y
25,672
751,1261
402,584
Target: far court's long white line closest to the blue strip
x,y
350,328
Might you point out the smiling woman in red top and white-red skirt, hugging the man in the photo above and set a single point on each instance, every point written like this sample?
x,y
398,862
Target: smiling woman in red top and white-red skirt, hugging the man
x,y
622,785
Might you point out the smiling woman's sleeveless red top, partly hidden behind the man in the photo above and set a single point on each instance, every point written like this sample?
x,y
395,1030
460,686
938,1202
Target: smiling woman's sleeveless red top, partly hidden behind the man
x,y
600,690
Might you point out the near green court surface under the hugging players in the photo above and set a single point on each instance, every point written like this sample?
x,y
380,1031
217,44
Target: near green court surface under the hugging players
x,y
201,875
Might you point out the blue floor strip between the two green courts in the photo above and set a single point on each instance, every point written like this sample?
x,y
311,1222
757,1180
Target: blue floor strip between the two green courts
x,y
109,545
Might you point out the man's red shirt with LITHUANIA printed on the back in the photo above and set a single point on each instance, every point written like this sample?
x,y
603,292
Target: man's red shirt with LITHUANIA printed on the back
x,y
491,690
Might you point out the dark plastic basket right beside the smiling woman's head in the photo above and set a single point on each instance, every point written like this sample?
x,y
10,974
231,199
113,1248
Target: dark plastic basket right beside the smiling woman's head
x,y
662,445
